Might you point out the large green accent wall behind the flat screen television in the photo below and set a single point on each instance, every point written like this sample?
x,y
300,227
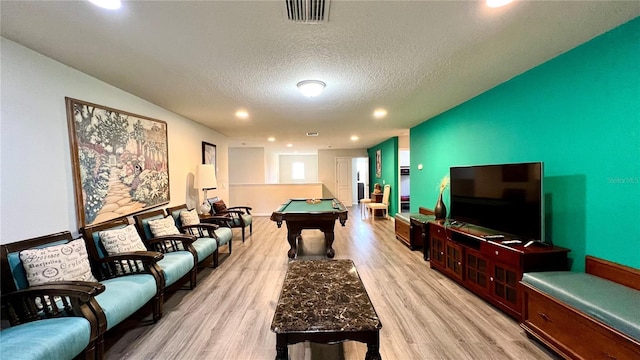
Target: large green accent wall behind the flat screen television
x,y
579,113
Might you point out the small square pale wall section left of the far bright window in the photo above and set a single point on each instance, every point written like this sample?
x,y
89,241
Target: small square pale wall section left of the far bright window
x,y
247,165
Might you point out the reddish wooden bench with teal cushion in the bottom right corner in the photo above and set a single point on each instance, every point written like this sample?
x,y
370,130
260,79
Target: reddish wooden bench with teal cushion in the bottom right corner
x,y
589,315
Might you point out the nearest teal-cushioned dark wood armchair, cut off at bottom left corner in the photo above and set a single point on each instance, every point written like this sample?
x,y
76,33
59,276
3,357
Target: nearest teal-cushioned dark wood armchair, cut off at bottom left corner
x,y
52,321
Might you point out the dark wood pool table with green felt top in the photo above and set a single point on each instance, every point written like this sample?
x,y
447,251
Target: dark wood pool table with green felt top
x,y
300,214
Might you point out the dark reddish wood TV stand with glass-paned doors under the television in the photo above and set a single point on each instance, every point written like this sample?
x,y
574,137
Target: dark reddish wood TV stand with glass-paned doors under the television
x,y
489,268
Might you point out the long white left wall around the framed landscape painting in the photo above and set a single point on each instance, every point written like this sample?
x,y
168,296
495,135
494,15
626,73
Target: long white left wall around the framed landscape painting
x,y
36,183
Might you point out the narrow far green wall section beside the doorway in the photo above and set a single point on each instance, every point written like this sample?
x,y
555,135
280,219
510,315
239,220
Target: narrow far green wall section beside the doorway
x,y
390,170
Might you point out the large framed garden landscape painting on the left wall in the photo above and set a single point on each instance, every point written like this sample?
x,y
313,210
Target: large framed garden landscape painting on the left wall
x,y
120,161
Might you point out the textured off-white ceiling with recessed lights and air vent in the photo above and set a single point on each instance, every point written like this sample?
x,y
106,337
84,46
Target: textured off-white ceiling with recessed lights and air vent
x,y
206,59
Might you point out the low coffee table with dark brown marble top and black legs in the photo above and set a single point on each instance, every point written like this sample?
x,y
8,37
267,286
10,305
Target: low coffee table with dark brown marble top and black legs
x,y
324,301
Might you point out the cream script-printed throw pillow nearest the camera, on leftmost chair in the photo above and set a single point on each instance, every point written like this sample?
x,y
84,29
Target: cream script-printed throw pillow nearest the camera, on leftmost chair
x,y
65,262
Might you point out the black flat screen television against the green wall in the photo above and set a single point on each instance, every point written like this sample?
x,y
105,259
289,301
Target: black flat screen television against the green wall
x,y
507,198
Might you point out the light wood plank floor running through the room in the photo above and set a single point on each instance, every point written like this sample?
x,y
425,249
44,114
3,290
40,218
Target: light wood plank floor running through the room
x,y
228,316
